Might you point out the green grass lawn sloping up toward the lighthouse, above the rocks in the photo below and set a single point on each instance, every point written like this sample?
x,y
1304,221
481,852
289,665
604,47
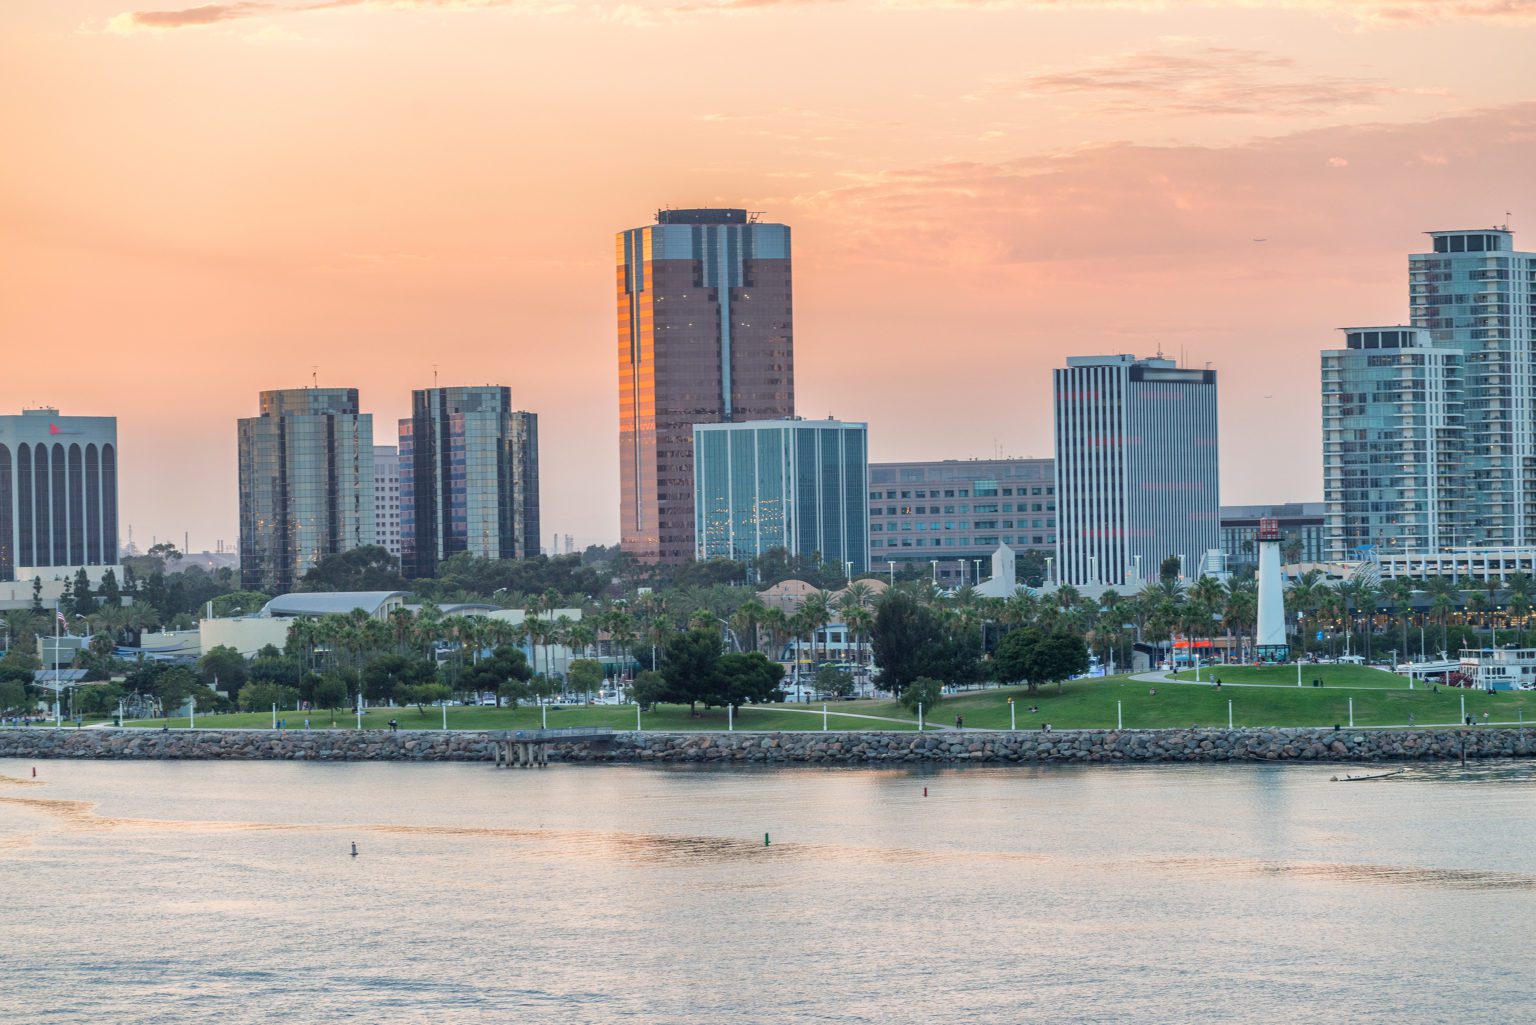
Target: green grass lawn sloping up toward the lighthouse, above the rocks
x,y
1082,705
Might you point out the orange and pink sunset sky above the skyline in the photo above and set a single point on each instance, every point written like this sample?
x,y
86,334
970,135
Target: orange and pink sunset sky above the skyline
x,y
204,202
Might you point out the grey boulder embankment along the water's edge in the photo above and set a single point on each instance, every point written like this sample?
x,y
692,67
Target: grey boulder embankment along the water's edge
x,y
862,748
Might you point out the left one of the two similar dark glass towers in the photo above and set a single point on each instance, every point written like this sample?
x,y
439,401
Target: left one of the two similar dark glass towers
x,y
306,485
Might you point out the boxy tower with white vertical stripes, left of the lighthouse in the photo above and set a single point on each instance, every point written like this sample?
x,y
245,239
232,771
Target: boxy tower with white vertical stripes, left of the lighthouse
x,y
1136,469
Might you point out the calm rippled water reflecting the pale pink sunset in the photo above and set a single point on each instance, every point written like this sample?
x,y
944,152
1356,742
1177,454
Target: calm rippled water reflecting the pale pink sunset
x,y
188,892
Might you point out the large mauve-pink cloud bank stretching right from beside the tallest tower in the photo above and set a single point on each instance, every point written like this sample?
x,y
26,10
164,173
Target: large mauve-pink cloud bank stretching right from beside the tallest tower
x,y
1150,208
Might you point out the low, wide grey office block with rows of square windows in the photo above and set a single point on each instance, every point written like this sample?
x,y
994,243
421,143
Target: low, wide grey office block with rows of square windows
x,y
956,514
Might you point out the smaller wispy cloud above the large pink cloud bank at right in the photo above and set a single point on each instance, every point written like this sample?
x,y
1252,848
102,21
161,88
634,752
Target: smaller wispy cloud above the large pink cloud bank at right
x,y
1216,81
